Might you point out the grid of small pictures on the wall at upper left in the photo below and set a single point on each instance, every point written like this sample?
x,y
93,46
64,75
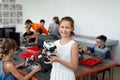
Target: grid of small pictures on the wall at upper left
x,y
10,13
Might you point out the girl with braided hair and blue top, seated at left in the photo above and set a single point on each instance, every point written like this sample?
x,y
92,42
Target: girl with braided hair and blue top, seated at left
x,y
8,70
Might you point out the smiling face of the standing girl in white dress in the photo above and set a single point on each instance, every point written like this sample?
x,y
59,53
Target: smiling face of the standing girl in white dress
x,y
65,29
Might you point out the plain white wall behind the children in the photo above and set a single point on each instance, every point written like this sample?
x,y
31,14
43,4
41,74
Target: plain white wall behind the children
x,y
92,17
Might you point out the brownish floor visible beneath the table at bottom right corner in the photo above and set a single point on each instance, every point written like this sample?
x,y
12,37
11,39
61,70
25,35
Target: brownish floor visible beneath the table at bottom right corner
x,y
116,74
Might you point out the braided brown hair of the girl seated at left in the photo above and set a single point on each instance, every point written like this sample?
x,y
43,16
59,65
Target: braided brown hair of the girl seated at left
x,y
6,45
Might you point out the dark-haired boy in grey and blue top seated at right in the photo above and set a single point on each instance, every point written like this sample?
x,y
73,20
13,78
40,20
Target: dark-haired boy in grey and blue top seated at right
x,y
100,48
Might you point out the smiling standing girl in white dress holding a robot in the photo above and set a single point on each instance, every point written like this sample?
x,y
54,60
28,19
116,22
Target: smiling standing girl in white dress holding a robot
x,y
66,59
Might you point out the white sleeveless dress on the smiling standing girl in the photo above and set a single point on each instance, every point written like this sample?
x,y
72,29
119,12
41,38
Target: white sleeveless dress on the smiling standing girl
x,y
59,71
